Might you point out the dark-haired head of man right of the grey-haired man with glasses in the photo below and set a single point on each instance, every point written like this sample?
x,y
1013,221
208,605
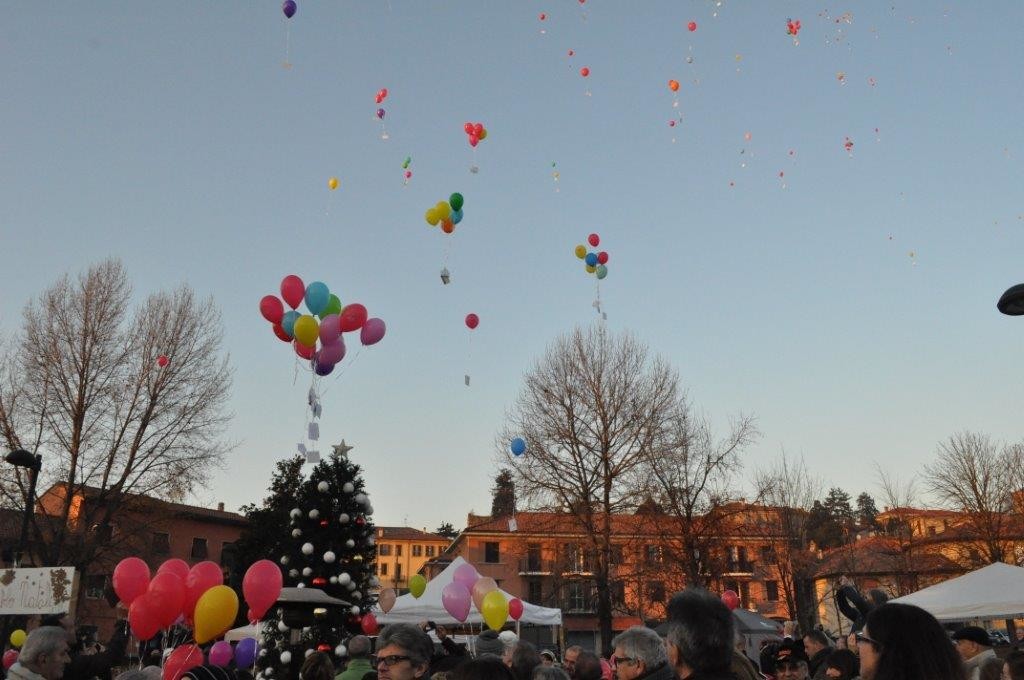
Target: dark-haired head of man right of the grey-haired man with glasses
x,y
701,633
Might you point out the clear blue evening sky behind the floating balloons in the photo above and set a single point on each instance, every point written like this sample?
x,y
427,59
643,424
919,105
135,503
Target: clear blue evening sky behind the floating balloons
x,y
844,297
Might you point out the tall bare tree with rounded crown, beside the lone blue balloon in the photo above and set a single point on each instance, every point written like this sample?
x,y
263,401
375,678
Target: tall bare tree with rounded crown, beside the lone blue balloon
x,y
591,411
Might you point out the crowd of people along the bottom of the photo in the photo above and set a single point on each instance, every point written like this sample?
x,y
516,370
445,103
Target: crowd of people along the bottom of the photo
x,y
890,642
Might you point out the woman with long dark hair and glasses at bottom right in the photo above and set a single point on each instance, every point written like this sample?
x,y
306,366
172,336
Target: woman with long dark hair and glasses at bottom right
x,y
902,642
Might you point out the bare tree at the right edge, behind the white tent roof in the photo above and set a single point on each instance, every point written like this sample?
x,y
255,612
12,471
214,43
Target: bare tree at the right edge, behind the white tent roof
x,y
978,477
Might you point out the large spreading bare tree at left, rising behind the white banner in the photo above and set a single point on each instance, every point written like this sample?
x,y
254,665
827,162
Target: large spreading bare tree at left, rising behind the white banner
x,y
83,384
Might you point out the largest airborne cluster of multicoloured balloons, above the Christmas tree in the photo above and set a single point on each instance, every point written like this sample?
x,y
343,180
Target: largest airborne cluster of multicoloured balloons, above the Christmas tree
x,y
304,331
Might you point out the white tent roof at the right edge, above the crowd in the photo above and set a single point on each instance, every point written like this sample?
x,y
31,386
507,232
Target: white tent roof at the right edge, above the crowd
x,y
996,591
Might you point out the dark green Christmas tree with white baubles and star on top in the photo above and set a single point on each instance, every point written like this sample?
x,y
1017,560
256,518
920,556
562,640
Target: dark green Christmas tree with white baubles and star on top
x,y
327,544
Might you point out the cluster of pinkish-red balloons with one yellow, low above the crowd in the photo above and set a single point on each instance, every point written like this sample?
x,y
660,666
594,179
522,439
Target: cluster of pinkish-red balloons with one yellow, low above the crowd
x,y
196,597
